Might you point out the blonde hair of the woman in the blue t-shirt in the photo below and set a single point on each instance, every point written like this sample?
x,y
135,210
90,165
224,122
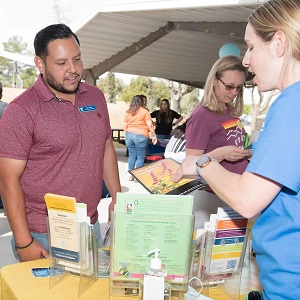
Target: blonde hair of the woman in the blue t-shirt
x,y
279,15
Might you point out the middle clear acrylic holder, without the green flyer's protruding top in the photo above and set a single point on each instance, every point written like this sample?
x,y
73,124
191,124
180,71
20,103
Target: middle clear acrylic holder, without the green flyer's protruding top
x,y
133,238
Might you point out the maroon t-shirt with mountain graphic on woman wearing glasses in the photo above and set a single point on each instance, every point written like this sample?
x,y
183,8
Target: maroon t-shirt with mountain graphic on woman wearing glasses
x,y
208,131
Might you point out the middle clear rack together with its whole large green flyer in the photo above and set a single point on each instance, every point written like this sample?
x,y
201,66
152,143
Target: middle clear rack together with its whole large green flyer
x,y
145,222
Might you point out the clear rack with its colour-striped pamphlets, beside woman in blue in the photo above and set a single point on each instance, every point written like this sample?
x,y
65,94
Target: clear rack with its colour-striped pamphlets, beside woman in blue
x,y
224,259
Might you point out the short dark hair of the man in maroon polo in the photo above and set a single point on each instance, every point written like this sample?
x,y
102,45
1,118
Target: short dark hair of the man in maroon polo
x,y
49,34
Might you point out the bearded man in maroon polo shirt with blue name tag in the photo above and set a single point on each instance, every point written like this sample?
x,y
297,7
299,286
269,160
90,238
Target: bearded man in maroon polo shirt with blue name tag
x,y
55,138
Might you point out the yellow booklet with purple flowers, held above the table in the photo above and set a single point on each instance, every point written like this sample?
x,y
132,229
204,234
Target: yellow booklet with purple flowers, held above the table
x,y
156,178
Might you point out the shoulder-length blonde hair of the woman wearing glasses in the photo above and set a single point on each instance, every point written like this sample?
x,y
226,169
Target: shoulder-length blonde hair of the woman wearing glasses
x,y
210,100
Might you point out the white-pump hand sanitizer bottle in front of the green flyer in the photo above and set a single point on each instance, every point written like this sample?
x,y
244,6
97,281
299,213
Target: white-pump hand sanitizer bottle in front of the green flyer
x,y
153,284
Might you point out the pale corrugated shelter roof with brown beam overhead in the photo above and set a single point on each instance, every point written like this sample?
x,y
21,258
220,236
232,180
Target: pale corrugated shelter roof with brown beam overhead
x,y
175,40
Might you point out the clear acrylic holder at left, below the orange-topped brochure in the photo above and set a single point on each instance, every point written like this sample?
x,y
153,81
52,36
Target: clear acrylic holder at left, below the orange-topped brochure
x,y
83,263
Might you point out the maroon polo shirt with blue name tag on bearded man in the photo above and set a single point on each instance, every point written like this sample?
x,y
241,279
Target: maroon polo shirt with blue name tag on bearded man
x,y
62,143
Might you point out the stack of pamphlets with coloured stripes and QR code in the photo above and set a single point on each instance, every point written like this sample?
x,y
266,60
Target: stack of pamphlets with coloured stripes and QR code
x,y
222,246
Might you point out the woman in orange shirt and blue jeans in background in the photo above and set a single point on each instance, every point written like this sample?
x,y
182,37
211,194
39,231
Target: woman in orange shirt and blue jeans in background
x,y
138,124
